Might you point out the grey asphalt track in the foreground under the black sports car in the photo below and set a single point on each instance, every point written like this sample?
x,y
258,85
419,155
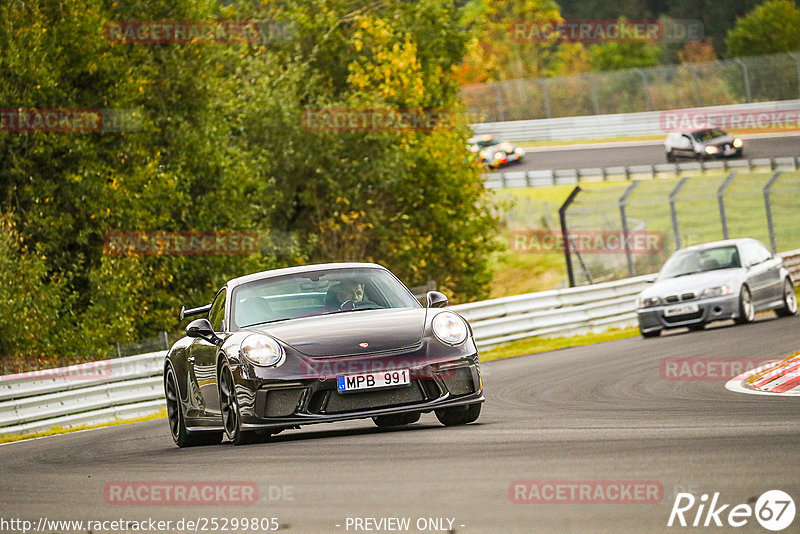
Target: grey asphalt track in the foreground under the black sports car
x,y
595,413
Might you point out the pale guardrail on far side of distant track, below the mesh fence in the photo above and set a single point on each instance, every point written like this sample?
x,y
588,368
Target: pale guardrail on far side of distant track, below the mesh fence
x,y
615,125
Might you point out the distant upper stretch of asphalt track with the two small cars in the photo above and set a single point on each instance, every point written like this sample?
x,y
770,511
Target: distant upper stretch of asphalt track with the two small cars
x,y
639,153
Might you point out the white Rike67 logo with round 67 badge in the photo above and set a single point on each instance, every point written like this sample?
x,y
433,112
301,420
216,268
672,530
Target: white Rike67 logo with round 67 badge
x,y
774,510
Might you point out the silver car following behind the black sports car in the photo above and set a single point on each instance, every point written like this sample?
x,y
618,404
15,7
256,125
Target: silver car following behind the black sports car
x,y
732,279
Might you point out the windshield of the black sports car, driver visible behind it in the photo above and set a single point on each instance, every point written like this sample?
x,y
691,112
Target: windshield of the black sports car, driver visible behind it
x,y
317,293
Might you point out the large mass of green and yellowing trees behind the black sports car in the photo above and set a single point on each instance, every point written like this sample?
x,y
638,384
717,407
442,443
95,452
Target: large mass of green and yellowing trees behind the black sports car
x,y
219,145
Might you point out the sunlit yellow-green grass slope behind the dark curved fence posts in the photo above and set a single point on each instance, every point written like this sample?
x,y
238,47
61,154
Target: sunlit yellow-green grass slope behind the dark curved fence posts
x,y
596,208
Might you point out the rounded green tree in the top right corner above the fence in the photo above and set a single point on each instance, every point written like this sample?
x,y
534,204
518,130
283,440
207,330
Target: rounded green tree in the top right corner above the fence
x,y
770,28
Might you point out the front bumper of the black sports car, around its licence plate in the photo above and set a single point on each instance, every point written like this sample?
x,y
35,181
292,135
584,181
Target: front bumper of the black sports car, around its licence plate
x,y
301,400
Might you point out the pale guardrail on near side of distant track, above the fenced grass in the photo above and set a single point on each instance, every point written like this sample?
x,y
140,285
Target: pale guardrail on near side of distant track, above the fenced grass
x,y
543,178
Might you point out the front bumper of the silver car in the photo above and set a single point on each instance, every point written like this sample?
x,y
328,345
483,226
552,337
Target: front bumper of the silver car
x,y
711,309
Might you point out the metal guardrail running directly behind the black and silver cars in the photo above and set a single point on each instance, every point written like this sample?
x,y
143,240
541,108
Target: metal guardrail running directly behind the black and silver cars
x,y
132,386
